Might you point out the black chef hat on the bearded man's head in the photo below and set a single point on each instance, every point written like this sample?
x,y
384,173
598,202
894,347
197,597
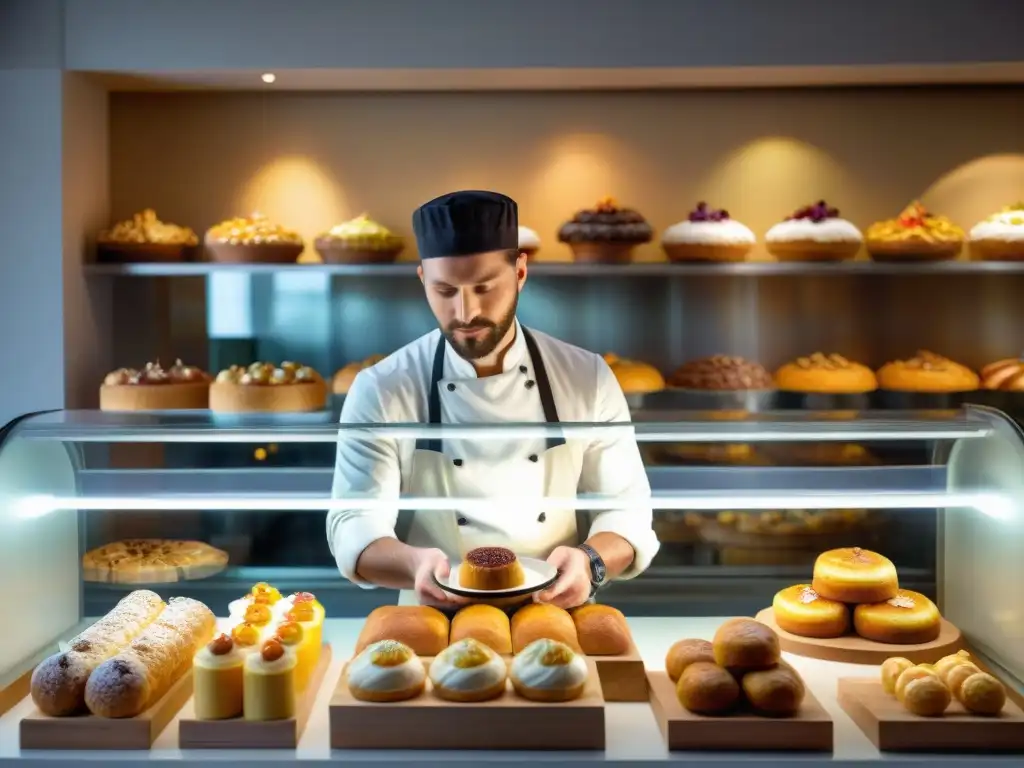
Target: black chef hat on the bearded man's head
x,y
466,223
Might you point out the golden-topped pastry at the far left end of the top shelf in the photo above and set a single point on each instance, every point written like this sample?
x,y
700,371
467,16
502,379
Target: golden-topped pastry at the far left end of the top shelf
x,y
145,238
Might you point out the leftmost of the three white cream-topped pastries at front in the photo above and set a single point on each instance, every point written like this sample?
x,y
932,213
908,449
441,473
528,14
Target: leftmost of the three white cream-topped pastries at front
x,y
387,671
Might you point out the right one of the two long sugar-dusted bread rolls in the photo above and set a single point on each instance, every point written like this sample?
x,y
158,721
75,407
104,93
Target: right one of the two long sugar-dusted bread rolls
x,y
134,680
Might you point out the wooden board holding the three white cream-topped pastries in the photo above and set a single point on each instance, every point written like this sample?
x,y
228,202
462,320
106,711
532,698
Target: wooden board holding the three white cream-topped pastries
x,y
505,723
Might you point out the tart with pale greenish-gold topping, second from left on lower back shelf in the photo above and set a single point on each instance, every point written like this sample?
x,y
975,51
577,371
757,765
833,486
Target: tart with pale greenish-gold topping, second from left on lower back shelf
x,y
266,388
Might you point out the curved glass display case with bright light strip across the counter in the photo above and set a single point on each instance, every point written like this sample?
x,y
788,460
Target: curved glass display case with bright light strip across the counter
x,y
741,507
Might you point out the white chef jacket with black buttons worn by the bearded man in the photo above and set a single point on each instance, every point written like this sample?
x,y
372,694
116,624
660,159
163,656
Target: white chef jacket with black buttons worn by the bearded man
x,y
396,391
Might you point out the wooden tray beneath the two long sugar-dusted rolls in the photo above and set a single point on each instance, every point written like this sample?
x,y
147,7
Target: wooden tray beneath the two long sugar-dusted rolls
x,y
39,732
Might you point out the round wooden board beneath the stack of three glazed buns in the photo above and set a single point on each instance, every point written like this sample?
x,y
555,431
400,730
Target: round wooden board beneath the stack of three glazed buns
x,y
855,650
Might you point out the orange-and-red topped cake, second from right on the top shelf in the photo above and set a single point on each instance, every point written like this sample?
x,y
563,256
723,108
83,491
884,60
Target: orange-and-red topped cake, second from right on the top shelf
x,y
916,234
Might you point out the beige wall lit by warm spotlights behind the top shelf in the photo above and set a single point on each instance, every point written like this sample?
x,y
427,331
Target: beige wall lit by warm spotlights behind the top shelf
x,y
311,160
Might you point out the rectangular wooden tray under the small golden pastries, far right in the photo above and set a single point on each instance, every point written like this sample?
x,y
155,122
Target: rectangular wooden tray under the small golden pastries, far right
x,y
892,729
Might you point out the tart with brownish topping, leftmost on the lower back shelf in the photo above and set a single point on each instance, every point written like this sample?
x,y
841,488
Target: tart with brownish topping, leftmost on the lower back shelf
x,y
155,389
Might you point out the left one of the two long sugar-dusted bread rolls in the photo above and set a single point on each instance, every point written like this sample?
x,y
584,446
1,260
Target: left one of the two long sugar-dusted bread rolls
x,y
59,684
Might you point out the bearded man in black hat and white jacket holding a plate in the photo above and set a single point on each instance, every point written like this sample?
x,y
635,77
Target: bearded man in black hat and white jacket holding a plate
x,y
484,367
